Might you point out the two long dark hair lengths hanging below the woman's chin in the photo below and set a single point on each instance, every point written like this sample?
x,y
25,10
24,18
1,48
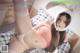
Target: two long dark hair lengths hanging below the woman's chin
x,y
57,38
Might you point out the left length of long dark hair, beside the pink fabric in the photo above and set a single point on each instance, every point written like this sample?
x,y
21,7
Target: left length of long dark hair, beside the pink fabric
x,y
54,39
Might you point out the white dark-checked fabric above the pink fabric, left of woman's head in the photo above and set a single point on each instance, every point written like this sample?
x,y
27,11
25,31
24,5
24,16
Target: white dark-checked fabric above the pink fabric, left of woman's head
x,y
40,17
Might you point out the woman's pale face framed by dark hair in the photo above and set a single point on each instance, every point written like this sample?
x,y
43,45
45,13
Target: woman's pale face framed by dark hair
x,y
60,24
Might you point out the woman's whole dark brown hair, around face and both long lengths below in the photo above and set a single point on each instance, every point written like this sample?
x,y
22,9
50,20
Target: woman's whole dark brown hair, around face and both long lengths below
x,y
58,36
